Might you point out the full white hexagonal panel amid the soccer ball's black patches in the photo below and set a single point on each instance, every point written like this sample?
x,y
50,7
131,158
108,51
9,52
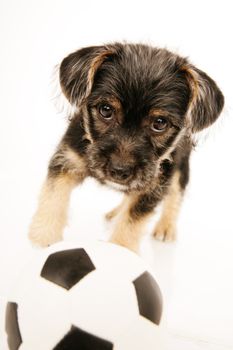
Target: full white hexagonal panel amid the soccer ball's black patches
x,y
101,296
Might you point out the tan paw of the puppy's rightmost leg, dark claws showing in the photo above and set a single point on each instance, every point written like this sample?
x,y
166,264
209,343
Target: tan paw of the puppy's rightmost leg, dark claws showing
x,y
165,231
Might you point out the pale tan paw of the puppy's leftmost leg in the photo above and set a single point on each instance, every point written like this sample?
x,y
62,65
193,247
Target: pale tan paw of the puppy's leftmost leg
x,y
44,235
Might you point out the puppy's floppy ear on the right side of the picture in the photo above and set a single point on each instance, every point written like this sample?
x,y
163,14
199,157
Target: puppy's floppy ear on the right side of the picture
x,y
206,101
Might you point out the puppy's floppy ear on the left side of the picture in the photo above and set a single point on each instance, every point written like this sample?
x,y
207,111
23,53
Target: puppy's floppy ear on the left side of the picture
x,y
77,72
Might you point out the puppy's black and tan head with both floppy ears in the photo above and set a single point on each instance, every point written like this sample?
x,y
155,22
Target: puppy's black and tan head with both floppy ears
x,y
136,104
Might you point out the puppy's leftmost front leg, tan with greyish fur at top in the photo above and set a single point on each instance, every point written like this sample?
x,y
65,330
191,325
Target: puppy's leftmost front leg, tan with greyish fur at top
x,y
66,170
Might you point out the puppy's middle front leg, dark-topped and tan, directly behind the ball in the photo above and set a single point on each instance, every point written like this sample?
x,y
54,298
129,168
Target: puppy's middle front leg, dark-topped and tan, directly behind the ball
x,y
131,221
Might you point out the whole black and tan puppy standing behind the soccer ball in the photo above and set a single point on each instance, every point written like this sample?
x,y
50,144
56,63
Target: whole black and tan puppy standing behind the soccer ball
x,y
135,110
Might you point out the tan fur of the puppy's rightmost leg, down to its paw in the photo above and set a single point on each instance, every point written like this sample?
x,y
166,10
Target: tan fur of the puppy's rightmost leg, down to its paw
x,y
166,227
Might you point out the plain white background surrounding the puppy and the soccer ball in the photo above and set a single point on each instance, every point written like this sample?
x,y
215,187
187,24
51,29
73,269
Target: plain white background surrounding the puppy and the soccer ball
x,y
195,273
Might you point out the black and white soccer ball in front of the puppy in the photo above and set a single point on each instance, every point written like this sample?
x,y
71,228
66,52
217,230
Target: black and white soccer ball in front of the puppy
x,y
96,296
